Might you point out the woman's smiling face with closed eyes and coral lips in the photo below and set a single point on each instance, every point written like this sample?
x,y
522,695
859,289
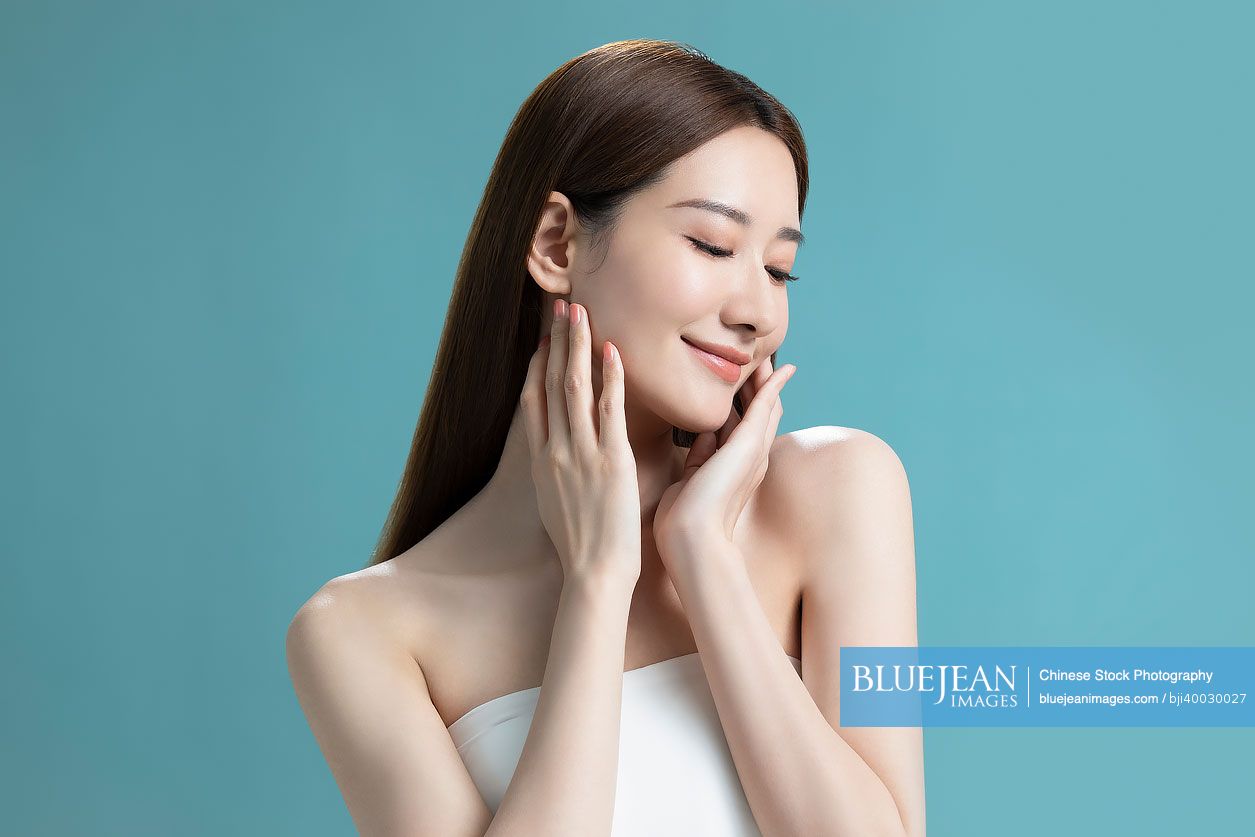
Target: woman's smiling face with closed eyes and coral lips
x,y
657,293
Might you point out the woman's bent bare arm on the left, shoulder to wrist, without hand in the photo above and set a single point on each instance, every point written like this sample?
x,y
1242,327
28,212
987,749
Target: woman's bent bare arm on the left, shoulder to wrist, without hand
x,y
391,755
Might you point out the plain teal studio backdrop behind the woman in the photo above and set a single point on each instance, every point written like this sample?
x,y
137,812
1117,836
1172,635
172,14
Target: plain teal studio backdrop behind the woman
x,y
229,234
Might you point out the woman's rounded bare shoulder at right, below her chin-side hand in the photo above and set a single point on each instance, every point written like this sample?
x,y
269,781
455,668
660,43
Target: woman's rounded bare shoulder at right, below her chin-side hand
x,y
823,477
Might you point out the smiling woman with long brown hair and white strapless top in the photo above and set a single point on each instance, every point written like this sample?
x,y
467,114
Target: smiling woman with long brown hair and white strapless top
x,y
609,599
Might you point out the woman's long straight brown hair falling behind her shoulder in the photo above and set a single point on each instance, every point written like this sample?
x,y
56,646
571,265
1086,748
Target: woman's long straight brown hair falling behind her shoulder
x,y
602,127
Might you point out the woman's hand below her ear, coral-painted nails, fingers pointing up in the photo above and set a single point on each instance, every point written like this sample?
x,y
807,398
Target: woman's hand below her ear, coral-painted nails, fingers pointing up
x,y
585,477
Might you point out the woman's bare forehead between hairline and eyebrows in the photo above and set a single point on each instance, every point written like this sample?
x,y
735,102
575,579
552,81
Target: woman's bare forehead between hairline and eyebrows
x,y
746,168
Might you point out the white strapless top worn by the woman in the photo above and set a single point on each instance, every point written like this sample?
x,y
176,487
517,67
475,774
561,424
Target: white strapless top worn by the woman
x,y
676,772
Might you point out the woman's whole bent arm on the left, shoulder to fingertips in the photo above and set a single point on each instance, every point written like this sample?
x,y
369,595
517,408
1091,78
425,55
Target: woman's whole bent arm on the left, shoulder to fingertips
x,y
368,703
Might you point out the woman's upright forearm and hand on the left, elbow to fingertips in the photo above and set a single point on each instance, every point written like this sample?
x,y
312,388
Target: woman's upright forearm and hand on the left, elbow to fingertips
x,y
589,501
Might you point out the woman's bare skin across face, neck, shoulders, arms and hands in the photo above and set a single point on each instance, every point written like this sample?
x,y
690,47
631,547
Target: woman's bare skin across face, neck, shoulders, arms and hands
x,y
560,574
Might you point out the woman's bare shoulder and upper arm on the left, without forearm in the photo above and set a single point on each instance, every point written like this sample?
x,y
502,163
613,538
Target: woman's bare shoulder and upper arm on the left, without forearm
x,y
372,713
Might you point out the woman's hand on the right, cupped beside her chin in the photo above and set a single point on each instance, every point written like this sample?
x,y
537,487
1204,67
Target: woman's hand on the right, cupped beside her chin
x,y
724,470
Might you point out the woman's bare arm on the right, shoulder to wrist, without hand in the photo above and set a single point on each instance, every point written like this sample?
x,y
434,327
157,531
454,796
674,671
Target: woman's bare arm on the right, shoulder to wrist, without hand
x,y
801,772
